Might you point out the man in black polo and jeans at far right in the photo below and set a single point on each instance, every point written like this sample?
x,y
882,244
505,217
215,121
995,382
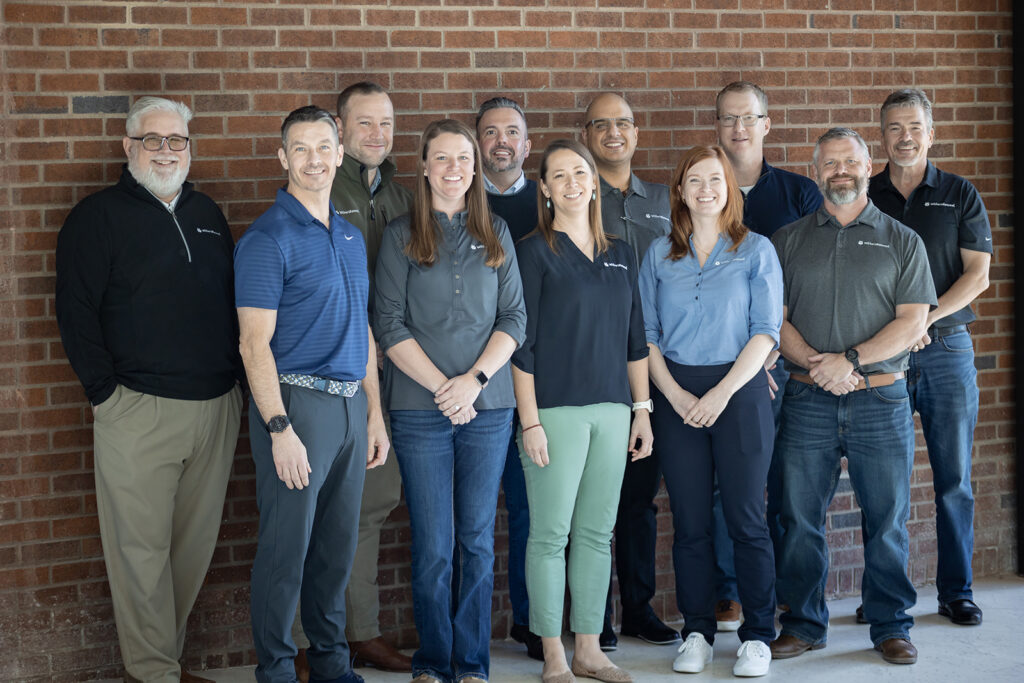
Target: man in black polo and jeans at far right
x,y
949,215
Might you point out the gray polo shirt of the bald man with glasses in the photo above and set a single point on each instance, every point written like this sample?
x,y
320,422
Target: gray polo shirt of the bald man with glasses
x,y
639,217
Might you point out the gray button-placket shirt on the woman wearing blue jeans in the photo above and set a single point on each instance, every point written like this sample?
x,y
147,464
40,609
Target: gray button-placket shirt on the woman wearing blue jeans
x,y
451,309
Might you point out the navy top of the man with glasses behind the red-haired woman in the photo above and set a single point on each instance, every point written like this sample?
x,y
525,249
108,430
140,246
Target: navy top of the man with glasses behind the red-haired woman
x,y
778,199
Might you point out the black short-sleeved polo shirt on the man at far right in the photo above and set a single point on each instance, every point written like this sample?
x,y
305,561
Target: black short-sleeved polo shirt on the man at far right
x,y
949,215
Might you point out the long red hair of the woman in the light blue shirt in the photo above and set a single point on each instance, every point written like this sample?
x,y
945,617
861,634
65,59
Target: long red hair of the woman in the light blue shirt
x,y
731,221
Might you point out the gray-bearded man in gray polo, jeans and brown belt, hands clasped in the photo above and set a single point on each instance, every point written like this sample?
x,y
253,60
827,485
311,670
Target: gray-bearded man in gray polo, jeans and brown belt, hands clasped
x,y
858,294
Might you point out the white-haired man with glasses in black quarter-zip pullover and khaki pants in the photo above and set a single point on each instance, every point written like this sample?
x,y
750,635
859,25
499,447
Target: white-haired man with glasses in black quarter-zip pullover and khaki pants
x,y
146,307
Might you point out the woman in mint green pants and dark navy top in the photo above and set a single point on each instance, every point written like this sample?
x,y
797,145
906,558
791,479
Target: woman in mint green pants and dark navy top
x,y
583,367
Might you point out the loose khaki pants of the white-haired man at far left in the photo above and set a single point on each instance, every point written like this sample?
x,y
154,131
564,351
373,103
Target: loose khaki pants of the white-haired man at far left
x,y
162,467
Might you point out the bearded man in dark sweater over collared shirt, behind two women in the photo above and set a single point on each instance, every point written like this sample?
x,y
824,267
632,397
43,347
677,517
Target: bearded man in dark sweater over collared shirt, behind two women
x,y
501,131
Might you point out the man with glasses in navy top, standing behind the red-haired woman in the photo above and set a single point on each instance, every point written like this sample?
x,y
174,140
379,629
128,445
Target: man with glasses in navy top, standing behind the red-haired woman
x,y
773,198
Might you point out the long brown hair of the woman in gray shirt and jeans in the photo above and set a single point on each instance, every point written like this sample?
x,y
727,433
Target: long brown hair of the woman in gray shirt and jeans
x,y
424,230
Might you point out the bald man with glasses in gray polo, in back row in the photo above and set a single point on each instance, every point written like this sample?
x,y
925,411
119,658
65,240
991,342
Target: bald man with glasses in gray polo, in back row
x,y
637,212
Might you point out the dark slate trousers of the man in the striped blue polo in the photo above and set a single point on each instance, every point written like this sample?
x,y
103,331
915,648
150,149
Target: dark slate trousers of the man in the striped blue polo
x,y
308,538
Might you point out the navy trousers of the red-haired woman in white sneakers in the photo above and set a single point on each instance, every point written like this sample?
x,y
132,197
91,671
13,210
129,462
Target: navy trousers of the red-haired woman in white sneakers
x,y
739,448
